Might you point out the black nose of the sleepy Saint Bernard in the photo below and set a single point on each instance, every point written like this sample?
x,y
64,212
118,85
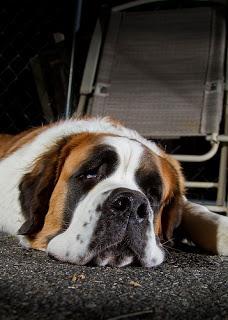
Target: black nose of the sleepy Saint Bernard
x,y
124,200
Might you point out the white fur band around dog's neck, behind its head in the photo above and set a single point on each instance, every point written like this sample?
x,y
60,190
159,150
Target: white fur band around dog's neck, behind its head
x,y
17,164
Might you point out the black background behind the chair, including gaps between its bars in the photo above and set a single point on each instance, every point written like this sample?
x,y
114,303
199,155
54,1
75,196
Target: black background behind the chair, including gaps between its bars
x,y
27,32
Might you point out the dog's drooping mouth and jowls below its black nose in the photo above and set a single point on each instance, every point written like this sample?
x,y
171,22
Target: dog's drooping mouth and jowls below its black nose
x,y
117,241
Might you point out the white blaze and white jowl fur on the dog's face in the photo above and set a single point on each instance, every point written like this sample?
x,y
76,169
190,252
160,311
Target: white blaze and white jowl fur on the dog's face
x,y
130,153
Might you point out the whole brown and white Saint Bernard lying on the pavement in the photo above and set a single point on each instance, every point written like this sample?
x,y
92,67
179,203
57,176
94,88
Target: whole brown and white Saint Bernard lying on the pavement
x,y
92,191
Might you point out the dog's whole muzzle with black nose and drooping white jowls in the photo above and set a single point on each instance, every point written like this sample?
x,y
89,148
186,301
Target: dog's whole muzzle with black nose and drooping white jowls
x,y
123,233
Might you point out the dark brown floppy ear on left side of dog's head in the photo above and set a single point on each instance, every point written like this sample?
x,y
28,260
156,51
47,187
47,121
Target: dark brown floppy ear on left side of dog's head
x,y
36,188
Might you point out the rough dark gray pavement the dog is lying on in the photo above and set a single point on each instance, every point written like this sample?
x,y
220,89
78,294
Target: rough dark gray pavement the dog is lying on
x,y
187,286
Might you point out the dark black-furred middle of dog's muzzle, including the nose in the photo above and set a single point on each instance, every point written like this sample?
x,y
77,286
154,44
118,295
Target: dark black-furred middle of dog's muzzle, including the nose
x,y
123,230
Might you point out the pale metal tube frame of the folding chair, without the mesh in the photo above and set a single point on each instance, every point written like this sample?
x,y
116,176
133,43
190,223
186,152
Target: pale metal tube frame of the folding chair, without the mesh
x,y
88,87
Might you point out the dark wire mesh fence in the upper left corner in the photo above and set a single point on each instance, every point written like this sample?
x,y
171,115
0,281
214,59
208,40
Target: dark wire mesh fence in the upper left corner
x,y
26,30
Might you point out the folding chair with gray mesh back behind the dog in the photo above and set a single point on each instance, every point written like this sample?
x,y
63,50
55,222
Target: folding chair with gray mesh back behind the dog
x,y
162,73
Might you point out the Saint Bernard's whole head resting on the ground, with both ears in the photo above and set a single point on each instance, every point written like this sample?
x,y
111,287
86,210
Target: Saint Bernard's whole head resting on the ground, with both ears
x,y
102,198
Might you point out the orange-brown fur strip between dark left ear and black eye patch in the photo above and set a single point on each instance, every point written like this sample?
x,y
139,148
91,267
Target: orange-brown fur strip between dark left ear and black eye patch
x,y
73,154
